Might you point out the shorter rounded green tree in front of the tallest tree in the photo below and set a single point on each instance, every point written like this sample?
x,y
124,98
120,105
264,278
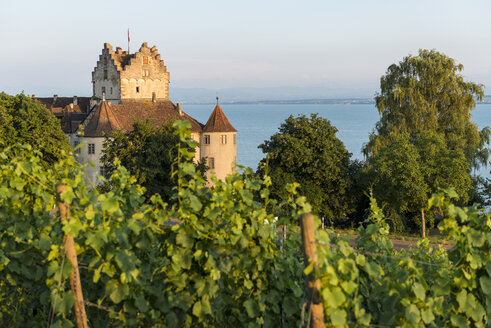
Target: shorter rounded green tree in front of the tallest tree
x,y
408,171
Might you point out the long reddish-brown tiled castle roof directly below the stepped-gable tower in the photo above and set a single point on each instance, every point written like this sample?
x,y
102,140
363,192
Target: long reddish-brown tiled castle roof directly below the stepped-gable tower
x,y
122,116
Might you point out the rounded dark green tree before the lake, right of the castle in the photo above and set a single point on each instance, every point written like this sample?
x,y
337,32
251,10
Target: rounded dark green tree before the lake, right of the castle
x,y
307,151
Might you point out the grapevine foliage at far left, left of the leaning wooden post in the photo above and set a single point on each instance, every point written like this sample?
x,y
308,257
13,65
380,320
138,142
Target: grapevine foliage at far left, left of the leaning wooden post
x,y
29,236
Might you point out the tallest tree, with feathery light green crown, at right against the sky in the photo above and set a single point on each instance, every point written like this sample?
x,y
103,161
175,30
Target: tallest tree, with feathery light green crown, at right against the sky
x,y
426,92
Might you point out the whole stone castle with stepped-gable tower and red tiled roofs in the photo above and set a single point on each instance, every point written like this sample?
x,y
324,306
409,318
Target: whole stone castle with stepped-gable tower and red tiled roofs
x,y
127,87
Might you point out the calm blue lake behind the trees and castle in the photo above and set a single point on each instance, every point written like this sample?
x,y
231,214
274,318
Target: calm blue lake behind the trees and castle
x,y
256,123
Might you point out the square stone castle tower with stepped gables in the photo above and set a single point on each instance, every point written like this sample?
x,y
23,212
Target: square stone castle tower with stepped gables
x,y
120,75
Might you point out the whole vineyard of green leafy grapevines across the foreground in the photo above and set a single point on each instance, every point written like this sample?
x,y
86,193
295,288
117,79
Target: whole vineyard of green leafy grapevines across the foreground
x,y
216,258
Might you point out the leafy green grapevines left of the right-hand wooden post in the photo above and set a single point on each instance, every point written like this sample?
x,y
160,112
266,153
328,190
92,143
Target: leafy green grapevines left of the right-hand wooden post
x,y
212,259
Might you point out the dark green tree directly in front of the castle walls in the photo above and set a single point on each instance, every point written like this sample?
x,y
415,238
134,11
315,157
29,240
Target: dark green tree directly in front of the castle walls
x,y
147,152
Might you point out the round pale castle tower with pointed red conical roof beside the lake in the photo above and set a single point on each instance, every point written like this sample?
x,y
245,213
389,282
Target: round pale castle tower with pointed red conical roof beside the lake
x,y
219,144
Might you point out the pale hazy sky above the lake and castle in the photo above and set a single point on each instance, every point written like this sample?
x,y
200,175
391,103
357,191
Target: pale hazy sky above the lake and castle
x,y
51,47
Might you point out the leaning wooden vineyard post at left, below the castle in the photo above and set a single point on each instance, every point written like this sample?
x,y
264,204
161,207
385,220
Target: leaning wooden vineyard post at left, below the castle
x,y
71,254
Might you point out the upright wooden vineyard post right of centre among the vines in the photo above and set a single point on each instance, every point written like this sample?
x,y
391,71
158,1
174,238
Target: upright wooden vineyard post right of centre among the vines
x,y
313,283
